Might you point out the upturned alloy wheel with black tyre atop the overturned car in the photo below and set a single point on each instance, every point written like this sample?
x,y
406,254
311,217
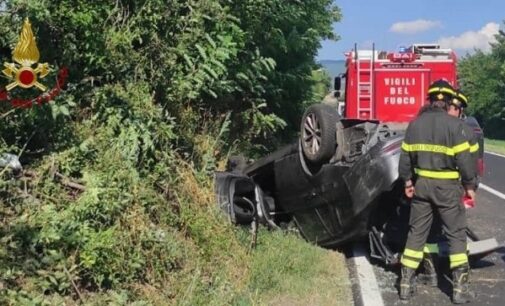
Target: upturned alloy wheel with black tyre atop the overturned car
x,y
318,133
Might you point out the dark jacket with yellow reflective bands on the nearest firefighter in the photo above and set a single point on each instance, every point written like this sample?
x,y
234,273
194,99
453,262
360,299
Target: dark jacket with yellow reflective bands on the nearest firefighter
x,y
436,146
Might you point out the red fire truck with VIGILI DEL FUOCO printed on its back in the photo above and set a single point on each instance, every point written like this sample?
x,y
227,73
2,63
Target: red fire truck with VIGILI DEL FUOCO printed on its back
x,y
392,86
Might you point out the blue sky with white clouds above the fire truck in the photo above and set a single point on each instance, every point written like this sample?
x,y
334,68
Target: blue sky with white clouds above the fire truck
x,y
463,25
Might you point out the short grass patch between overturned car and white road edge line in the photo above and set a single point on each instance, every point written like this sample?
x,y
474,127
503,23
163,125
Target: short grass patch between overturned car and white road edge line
x,y
285,270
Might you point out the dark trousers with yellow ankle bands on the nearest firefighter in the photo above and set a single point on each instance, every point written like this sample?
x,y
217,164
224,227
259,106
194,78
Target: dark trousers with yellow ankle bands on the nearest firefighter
x,y
444,198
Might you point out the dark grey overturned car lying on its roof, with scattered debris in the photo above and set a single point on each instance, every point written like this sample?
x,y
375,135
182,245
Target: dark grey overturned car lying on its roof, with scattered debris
x,y
338,184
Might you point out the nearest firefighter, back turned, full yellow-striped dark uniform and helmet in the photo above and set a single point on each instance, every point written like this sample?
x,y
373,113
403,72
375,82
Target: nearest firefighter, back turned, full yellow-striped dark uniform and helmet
x,y
435,154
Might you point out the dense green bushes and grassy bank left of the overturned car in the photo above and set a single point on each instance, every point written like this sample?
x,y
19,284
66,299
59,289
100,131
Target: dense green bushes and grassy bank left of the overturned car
x,y
116,203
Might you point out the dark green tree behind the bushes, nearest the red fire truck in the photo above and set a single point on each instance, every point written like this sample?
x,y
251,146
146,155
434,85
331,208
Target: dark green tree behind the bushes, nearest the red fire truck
x,y
289,32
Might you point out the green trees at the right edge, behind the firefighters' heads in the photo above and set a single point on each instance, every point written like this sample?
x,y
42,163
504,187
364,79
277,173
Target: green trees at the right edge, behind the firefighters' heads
x,y
482,78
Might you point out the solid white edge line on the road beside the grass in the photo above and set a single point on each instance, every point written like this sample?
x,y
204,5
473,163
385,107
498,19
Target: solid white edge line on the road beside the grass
x,y
369,289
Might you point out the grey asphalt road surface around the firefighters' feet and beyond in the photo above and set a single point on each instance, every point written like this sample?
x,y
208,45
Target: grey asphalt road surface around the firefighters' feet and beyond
x,y
487,220
